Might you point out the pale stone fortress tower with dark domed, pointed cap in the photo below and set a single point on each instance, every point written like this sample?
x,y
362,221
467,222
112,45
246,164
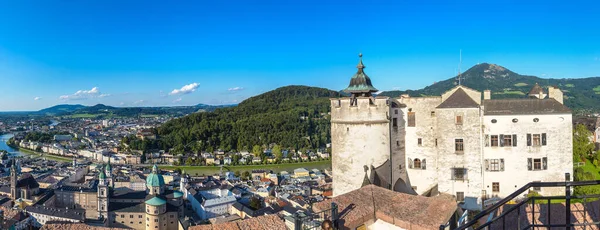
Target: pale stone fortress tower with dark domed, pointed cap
x,y
366,137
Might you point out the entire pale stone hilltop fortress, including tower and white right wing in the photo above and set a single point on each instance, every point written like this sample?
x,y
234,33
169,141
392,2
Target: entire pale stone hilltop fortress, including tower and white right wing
x,y
456,143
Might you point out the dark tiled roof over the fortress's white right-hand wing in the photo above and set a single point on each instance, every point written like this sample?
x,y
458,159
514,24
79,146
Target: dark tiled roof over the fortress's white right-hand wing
x,y
524,106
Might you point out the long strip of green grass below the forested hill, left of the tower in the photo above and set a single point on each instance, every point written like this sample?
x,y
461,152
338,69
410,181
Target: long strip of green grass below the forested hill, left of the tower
x,y
209,170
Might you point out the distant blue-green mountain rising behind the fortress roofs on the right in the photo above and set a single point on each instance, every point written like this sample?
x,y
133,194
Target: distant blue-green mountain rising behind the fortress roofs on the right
x,y
581,94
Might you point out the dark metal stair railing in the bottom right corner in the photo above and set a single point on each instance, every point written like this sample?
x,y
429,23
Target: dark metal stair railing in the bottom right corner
x,y
509,214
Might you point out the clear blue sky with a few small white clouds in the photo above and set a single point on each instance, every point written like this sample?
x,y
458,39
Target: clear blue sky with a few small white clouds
x,y
147,53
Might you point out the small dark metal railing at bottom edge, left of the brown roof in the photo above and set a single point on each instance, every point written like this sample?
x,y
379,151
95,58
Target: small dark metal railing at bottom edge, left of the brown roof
x,y
315,220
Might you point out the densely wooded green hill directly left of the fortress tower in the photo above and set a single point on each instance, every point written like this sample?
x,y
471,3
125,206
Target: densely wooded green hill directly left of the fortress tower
x,y
293,117
